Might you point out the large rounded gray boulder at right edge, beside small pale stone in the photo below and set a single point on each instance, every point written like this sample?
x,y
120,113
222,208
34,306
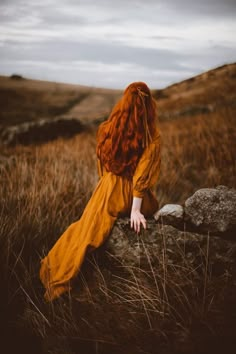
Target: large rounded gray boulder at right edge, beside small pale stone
x,y
212,210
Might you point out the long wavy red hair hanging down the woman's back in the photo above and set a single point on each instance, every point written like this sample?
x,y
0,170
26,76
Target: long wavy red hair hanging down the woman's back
x,y
130,127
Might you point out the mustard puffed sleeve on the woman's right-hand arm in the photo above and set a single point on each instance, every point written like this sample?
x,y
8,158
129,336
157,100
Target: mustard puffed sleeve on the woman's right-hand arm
x,y
148,168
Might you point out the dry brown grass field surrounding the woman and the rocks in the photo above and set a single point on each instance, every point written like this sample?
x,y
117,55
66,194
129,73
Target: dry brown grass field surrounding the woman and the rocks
x,y
45,188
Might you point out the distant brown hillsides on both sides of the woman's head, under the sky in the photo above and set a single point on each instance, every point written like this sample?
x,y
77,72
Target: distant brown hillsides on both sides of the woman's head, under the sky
x,y
28,100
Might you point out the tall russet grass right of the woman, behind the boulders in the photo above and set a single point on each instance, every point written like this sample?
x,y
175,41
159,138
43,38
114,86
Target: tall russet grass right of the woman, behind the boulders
x,y
197,152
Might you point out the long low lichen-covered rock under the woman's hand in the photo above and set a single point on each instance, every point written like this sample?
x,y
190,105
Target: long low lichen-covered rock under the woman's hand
x,y
164,243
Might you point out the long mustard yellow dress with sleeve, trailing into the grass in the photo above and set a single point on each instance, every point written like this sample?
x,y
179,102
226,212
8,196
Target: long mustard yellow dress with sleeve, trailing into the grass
x,y
111,198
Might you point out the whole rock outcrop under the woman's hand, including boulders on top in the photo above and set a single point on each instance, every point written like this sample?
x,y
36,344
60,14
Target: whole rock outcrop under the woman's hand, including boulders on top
x,y
203,227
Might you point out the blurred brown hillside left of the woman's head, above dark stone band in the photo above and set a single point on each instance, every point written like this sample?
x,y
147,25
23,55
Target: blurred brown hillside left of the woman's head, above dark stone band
x,y
24,100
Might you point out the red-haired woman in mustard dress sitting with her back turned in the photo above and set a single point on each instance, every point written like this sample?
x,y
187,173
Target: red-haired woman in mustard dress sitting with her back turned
x,y
128,151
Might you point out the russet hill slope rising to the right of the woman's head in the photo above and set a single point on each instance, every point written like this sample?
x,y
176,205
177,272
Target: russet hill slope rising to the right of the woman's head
x,y
203,93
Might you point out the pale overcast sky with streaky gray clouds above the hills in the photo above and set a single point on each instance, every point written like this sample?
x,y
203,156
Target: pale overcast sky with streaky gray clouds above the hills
x,y
110,43
